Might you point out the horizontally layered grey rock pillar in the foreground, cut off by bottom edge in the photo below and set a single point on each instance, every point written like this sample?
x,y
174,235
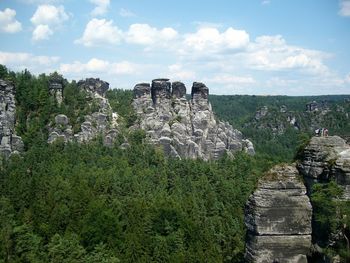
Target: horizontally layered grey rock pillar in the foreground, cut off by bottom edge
x,y
278,218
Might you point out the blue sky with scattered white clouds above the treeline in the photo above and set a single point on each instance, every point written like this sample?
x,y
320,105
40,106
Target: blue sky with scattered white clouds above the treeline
x,y
261,47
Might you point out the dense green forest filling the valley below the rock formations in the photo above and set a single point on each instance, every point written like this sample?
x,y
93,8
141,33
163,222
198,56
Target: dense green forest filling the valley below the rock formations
x,y
77,203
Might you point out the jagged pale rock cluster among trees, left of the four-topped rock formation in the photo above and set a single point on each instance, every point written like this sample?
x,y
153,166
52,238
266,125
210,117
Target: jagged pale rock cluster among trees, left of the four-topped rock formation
x,y
103,121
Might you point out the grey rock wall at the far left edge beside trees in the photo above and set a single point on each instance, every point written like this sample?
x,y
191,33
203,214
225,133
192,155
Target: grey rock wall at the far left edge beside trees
x,y
9,141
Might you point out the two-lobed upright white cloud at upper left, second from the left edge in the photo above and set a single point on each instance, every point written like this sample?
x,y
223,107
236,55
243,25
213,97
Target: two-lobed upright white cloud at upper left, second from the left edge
x,y
46,19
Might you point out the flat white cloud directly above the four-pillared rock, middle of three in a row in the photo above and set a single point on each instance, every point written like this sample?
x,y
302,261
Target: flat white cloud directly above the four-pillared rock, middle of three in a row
x,y
144,34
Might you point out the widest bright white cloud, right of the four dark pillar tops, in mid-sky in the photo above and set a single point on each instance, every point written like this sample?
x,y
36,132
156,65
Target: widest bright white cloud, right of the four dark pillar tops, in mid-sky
x,y
209,39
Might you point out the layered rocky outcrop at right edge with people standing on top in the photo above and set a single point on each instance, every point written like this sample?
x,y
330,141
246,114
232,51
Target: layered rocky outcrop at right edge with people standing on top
x,y
326,158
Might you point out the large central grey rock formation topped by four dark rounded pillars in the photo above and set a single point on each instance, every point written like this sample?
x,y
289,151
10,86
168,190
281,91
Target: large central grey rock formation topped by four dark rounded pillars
x,y
185,129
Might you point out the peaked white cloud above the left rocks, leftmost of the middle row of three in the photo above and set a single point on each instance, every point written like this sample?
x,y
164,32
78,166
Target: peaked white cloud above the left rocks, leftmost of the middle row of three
x,y
100,32
